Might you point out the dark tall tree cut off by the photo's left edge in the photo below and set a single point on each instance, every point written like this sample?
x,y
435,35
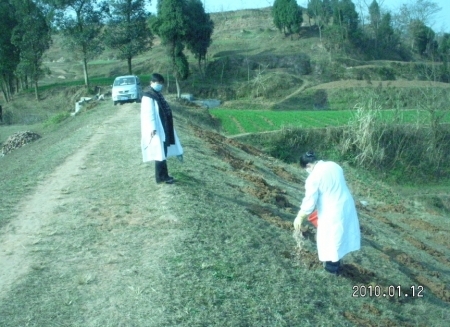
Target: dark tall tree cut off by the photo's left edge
x,y
9,54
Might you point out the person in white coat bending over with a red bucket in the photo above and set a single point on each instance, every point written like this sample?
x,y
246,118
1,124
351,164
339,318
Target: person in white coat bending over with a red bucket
x,y
326,190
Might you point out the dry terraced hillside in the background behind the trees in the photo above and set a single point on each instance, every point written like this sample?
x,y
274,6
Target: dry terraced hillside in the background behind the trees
x,y
251,65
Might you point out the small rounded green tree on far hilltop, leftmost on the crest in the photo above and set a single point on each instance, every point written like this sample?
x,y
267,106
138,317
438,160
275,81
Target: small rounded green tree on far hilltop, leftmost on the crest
x,y
287,16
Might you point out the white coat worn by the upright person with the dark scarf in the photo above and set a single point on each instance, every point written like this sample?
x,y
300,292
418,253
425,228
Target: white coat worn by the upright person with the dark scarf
x,y
153,147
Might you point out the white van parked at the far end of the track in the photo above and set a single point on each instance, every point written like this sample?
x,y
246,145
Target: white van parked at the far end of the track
x,y
126,89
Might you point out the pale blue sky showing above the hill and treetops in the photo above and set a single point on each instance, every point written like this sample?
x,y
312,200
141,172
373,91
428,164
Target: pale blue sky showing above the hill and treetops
x,y
442,19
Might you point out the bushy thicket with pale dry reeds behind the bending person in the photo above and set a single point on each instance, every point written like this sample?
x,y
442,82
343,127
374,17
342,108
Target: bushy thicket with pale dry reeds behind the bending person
x,y
398,151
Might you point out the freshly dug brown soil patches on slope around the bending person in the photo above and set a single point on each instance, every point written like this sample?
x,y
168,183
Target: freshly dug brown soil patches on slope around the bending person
x,y
259,188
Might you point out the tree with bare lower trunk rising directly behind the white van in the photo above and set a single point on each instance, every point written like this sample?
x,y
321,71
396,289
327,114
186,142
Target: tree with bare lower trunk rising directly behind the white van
x,y
127,31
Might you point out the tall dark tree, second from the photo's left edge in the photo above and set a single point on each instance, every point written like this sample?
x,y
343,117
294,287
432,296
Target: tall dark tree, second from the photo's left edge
x,y
32,36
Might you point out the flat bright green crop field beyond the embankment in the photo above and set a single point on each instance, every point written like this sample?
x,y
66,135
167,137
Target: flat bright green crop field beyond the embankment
x,y
251,121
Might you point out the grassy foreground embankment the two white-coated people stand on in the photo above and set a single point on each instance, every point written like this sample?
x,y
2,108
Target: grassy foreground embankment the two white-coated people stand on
x,y
88,239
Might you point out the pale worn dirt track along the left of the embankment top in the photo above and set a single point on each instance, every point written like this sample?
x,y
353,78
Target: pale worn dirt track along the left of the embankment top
x,y
37,210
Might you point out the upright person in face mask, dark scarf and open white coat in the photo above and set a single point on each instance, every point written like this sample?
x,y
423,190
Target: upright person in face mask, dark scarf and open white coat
x,y
158,137
